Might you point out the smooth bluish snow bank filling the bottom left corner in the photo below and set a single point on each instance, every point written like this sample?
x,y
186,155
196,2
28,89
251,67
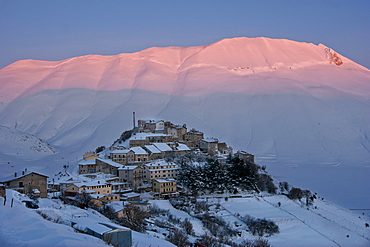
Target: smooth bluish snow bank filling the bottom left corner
x,y
20,226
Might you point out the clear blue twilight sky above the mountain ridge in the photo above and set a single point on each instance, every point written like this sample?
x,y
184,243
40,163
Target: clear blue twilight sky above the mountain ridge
x,y
56,30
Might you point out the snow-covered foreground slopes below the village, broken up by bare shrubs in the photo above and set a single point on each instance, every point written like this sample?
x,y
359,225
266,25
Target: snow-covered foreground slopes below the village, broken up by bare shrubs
x,y
322,224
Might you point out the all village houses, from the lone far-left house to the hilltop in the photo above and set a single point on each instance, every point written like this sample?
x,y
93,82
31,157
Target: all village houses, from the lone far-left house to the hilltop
x,y
130,168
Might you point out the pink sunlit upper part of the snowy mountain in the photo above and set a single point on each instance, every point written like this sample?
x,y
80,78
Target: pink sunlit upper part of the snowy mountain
x,y
230,65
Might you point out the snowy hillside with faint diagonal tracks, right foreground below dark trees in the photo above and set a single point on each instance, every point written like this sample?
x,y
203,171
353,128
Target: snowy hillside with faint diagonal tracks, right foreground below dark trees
x,y
324,224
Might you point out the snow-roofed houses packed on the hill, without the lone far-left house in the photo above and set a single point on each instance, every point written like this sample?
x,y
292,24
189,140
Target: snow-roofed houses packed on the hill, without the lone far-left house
x,y
140,161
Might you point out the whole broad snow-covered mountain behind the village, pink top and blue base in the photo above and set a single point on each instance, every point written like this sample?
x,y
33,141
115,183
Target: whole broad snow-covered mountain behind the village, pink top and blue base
x,y
297,106
